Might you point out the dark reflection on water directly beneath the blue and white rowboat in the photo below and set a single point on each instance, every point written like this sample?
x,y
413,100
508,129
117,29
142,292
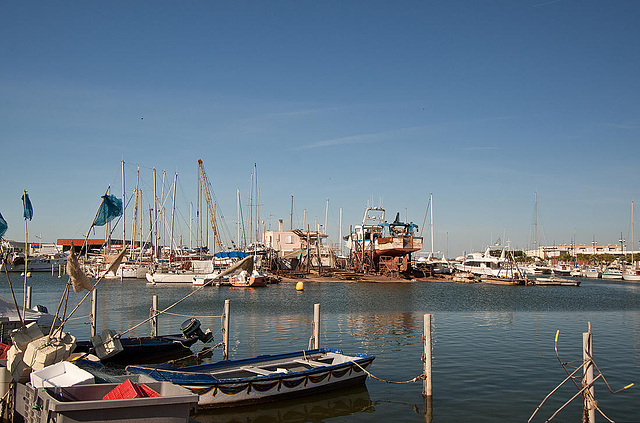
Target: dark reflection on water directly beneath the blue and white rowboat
x,y
318,407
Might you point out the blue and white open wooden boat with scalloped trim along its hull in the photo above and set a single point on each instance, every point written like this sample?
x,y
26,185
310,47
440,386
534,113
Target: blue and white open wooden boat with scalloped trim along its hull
x,y
264,378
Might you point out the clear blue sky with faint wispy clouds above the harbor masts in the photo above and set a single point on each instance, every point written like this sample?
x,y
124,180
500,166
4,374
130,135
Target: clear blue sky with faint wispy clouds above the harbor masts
x,y
480,103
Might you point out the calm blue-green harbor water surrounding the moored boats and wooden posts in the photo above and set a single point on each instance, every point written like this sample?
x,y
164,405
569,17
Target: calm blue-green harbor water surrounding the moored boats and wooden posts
x,y
493,353
